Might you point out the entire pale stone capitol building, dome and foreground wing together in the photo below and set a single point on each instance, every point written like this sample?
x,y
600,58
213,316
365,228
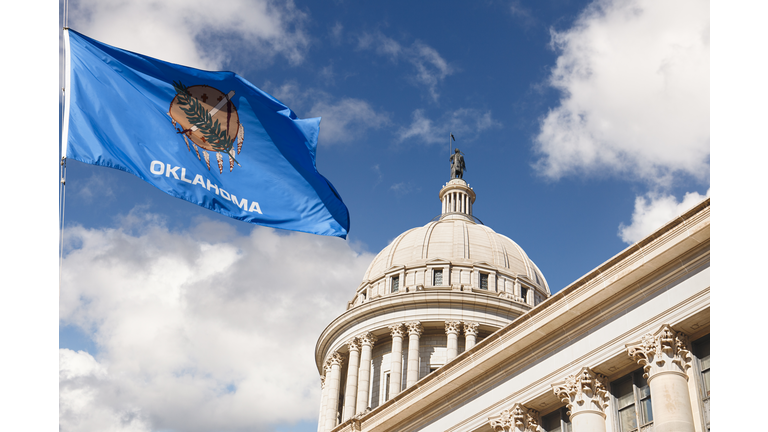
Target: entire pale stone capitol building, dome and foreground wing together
x,y
454,328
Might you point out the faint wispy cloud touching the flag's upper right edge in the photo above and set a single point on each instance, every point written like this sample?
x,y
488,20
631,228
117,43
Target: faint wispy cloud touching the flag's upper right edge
x,y
343,120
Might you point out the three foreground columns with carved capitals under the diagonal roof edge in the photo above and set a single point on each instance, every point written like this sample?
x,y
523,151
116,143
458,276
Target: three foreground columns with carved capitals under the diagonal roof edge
x,y
664,356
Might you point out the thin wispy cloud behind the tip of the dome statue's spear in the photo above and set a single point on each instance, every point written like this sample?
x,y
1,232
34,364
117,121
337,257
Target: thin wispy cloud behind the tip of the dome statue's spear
x,y
464,123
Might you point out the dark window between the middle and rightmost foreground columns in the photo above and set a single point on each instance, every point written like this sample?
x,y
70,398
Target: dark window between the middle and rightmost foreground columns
x,y
633,401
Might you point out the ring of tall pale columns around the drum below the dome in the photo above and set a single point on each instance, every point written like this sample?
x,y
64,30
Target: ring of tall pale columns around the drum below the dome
x,y
356,392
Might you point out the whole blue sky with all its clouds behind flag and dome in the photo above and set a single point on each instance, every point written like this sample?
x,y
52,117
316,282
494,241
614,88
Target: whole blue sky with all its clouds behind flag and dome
x,y
585,125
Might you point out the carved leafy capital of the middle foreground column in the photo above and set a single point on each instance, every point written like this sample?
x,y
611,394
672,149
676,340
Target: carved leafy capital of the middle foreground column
x,y
585,391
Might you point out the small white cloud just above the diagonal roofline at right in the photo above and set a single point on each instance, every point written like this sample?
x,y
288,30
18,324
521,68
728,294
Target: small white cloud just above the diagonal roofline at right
x,y
654,210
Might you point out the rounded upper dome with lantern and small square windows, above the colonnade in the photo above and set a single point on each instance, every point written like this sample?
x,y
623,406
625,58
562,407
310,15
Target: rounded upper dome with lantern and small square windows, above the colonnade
x,y
480,259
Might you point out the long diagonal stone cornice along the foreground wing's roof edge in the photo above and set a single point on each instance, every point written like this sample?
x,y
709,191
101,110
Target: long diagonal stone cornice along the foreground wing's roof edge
x,y
630,268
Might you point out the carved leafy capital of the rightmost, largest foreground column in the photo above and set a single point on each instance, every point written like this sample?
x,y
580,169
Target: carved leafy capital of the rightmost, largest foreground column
x,y
666,350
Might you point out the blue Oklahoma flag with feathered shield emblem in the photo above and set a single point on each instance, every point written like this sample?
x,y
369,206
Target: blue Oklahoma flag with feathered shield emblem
x,y
211,138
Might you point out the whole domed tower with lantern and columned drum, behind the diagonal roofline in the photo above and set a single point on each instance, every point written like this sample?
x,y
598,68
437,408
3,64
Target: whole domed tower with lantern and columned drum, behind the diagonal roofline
x,y
427,297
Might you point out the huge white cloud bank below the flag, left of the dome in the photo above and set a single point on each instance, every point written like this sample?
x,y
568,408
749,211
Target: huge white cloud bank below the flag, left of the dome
x,y
197,331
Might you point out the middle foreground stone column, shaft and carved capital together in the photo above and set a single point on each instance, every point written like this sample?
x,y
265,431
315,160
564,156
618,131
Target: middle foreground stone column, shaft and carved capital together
x,y
586,396
